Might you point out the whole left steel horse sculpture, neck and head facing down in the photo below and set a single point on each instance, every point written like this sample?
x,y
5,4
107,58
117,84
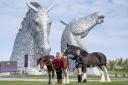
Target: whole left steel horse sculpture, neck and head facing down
x,y
33,36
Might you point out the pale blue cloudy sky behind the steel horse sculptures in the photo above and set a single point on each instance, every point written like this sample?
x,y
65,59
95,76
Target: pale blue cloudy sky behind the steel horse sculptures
x,y
111,37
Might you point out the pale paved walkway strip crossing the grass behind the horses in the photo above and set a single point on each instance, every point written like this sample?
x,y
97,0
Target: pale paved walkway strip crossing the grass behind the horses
x,y
33,79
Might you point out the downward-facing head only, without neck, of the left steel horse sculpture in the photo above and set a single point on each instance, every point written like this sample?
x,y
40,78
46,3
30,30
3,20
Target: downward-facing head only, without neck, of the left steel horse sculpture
x,y
40,27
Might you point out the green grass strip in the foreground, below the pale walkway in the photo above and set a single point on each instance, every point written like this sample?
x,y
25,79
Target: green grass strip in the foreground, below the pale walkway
x,y
72,83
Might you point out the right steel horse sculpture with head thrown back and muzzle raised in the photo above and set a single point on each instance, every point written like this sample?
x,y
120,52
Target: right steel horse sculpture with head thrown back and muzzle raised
x,y
78,29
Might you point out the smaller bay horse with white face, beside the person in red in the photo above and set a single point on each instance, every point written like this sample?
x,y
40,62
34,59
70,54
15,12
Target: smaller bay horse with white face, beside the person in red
x,y
47,61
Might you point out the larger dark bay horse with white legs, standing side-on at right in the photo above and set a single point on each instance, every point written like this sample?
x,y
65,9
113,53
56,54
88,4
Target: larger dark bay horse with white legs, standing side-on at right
x,y
95,59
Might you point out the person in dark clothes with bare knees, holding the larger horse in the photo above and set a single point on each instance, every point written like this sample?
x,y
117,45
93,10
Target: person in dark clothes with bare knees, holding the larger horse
x,y
79,64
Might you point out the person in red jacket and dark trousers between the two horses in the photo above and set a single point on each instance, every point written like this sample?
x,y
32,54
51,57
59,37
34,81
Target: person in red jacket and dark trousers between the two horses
x,y
58,64
